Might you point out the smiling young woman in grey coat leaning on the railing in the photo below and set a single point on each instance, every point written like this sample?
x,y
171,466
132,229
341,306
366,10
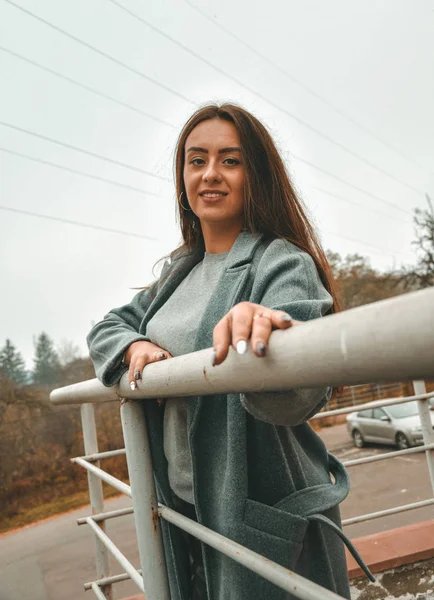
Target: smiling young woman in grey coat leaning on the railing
x,y
245,465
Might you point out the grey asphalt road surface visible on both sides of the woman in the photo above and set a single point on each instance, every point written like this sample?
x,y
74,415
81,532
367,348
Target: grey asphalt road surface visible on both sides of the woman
x,y
51,560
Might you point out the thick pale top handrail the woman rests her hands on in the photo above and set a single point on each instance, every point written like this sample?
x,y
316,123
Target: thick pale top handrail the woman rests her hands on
x,y
367,343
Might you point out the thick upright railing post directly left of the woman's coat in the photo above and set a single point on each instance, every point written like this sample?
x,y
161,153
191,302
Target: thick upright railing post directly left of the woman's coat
x,y
144,500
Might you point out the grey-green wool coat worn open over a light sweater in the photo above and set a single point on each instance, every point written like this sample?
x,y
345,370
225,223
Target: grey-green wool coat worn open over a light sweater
x,y
264,485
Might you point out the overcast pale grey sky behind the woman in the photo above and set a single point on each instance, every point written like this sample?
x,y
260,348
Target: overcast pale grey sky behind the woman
x,y
347,89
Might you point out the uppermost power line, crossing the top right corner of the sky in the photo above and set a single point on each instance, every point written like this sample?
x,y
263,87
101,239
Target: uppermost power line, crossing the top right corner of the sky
x,y
305,87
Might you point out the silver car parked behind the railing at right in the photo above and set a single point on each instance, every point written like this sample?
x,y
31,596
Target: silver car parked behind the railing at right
x,y
398,424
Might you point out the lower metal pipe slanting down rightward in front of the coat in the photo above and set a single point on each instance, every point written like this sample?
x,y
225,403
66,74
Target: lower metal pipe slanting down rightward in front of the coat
x,y
301,588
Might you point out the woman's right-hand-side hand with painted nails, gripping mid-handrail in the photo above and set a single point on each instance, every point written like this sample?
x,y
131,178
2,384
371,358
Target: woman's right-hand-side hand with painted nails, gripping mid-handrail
x,y
247,321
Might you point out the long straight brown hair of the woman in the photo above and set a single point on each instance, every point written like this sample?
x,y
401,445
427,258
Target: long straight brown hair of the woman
x,y
271,203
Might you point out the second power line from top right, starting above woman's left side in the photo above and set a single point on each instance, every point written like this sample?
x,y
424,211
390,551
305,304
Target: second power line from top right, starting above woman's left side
x,y
262,97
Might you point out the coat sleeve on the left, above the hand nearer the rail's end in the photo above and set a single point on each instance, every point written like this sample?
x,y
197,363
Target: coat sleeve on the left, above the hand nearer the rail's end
x,y
109,339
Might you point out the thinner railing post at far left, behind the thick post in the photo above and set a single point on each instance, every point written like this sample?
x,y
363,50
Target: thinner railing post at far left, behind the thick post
x,y
96,493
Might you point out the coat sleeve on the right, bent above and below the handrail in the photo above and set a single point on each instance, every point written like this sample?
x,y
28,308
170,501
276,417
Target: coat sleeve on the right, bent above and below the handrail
x,y
287,279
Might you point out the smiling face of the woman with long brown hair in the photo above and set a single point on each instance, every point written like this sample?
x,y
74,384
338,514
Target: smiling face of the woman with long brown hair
x,y
214,173
